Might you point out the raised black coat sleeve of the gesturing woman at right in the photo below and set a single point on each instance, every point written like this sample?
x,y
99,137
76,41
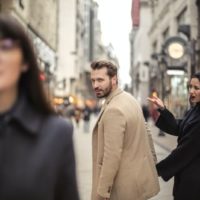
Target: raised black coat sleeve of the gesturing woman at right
x,y
167,123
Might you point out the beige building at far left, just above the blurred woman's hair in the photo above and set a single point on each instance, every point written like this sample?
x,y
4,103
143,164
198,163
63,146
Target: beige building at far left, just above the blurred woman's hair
x,y
42,27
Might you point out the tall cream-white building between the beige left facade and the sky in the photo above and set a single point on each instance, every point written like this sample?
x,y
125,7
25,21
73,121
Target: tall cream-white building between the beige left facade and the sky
x,y
78,45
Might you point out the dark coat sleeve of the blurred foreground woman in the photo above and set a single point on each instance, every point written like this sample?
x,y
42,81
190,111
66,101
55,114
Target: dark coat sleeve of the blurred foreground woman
x,y
67,185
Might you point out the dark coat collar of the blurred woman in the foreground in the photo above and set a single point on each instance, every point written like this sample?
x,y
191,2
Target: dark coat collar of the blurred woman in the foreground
x,y
26,116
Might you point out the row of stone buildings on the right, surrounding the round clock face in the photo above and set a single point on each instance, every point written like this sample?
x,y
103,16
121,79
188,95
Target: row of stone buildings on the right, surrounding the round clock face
x,y
159,22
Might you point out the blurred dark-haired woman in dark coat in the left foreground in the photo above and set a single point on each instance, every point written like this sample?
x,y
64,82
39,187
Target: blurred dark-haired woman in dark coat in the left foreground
x,y
36,149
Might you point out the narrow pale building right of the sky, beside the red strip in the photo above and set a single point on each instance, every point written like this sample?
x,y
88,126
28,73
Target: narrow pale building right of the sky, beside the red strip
x,y
140,54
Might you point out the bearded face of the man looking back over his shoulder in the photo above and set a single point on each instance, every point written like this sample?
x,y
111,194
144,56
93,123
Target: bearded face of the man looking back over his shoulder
x,y
102,83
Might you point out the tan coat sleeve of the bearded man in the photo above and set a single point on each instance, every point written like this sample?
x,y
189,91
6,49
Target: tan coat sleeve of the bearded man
x,y
114,128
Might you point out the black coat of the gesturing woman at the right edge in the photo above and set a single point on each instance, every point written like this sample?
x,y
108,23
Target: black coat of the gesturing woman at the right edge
x,y
184,162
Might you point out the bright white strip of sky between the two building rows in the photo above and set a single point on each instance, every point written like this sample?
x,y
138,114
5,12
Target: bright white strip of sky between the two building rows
x,y
115,17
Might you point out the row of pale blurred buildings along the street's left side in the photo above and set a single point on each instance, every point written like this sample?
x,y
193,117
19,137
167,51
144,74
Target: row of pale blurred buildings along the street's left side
x,y
67,38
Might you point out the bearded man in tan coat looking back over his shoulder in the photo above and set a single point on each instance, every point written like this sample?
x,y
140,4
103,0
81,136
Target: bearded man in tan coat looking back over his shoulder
x,y
123,166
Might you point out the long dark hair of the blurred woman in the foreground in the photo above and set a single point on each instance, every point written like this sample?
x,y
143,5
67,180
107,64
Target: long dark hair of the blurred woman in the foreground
x,y
30,83
